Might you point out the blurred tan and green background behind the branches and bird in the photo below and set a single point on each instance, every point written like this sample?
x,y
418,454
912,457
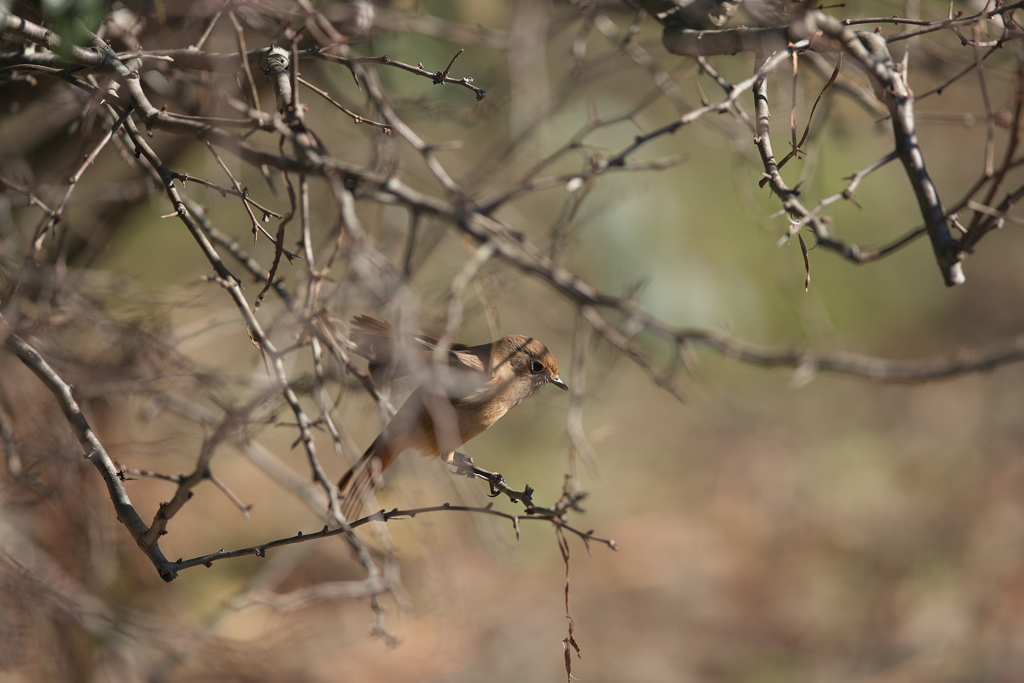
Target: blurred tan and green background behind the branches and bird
x,y
774,526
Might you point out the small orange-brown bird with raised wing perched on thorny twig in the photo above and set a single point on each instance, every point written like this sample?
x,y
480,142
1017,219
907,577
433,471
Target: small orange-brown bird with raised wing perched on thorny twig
x,y
465,396
